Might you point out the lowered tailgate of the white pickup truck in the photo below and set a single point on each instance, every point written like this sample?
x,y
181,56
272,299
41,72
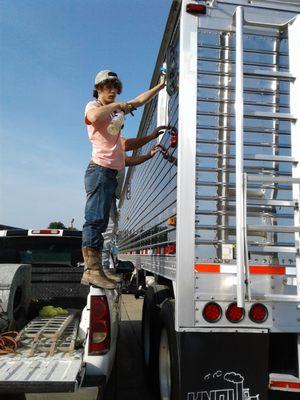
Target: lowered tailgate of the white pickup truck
x,y
39,375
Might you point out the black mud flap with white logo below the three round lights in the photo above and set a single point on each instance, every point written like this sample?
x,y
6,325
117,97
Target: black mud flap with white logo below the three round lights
x,y
224,366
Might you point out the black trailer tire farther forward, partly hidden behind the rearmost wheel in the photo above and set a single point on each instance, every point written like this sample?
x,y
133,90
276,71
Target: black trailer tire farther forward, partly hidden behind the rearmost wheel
x,y
154,296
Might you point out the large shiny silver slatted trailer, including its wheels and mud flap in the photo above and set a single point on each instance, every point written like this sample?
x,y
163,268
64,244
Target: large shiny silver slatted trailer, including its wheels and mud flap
x,y
216,221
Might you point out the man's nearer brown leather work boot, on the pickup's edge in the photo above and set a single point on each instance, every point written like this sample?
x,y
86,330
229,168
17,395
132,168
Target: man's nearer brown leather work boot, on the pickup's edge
x,y
93,273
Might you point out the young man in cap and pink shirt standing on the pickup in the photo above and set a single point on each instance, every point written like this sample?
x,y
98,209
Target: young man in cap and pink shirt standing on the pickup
x,y
108,157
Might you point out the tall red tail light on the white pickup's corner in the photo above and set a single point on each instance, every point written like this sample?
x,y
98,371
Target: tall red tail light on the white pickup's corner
x,y
99,333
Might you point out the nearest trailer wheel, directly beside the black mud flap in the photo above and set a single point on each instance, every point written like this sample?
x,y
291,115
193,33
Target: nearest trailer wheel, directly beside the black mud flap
x,y
169,376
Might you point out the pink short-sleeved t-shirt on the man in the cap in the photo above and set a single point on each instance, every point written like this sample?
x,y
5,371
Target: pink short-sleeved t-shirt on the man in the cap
x,y
107,149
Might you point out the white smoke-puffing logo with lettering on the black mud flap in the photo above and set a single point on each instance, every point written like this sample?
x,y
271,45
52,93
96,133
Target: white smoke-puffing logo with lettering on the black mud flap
x,y
233,388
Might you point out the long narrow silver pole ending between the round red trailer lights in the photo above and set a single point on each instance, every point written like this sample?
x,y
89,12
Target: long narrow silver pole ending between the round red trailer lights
x,y
239,156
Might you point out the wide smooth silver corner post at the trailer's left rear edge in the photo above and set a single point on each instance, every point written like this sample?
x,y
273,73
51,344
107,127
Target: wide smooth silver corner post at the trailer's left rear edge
x,y
186,171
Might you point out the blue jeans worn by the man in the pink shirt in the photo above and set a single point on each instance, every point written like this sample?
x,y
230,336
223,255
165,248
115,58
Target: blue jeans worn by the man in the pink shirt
x,y
100,185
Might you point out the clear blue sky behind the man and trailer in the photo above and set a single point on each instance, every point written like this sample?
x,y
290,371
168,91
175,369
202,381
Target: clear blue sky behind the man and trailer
x,y
51,52
